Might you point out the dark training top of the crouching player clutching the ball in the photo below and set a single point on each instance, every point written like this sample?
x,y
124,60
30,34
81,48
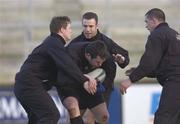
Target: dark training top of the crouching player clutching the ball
x,y
77,52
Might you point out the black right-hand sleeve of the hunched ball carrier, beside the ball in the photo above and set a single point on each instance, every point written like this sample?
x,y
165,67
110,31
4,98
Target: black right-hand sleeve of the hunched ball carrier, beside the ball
x,y
109,67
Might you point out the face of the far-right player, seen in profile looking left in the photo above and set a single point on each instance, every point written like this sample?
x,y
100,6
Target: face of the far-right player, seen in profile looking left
x,y
150,24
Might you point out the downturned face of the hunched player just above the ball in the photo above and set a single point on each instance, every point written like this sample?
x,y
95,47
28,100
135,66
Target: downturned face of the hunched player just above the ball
x,y
96,62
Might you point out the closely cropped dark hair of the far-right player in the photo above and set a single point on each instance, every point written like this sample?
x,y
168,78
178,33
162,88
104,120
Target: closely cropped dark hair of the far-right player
x,y
156,13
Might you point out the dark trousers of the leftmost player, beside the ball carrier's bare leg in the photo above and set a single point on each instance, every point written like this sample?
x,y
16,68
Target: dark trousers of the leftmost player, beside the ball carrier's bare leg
x,y
40,103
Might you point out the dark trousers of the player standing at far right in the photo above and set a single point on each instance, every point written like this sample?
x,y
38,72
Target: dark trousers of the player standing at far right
x,y
169,106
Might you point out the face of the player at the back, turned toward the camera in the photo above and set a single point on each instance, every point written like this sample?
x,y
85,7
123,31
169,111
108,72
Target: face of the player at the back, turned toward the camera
x,y
89,28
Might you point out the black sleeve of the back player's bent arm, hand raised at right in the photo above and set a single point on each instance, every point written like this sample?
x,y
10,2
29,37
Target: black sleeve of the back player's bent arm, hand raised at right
x,y
116,49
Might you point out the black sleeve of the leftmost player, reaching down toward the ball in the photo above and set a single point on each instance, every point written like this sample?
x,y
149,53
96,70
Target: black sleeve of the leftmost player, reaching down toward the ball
x,y
65,63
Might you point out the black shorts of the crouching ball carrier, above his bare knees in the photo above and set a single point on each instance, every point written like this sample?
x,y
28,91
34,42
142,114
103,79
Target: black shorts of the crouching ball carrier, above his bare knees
x,y
85,99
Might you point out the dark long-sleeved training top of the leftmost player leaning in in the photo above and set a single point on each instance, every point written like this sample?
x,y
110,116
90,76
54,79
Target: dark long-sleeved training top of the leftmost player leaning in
x,y
44,62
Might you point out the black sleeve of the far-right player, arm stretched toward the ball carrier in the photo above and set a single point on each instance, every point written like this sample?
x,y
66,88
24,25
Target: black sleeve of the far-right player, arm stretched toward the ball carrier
x,y
150,59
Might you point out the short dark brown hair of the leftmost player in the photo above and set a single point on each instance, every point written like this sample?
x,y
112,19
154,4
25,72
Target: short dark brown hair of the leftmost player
x,y
59,22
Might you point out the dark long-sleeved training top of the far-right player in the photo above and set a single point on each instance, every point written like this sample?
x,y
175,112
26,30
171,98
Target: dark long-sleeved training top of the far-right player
x,y
161,58
